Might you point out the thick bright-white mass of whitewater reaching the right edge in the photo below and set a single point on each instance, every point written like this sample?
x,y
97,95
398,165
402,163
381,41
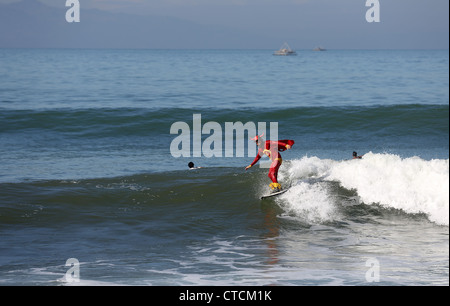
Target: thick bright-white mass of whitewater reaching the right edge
x,y
412,184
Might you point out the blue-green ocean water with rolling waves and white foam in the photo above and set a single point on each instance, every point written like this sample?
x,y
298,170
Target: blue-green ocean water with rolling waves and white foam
x,y
91,192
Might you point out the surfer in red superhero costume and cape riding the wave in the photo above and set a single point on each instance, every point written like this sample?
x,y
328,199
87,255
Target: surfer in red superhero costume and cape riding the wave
x,y
271,149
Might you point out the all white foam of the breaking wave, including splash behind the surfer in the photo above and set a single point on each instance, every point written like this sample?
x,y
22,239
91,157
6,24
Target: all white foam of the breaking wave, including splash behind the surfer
x,y
411,184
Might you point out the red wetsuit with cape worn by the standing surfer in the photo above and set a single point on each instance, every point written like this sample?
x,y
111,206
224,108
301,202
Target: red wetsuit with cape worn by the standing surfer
x,y
271,149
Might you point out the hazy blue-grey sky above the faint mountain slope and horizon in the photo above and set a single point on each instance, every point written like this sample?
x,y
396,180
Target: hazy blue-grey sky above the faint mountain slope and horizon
x,y
404,24
